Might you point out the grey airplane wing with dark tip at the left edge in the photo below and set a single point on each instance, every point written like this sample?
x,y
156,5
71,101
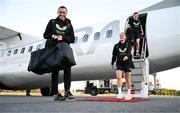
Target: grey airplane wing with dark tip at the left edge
x,y
8,33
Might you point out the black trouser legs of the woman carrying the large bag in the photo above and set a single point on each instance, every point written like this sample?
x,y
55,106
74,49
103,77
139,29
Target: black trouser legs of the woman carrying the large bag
x,y
66,77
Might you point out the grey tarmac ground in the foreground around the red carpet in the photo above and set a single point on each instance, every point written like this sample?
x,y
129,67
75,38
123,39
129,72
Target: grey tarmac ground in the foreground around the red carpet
x,y
40,104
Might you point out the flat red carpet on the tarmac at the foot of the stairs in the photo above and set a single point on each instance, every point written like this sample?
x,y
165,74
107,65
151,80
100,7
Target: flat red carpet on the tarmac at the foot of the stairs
x,y
111,100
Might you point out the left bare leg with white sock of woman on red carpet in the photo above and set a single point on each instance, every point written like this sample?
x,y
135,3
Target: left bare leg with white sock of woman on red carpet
x,y
119,82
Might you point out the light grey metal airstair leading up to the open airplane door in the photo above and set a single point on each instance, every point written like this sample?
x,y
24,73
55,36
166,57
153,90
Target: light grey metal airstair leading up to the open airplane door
x,y
140,75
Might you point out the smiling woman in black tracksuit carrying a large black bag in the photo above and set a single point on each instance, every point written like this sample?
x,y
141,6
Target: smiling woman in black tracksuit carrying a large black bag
x,y
60,30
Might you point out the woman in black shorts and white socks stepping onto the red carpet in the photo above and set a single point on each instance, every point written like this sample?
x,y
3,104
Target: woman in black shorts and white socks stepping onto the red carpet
x,y
123,58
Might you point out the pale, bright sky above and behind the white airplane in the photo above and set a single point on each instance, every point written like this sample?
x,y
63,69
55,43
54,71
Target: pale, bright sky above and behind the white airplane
x,y
32,16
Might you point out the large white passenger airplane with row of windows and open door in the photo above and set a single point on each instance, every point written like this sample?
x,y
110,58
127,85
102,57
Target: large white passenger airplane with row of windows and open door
x,y
93,49
